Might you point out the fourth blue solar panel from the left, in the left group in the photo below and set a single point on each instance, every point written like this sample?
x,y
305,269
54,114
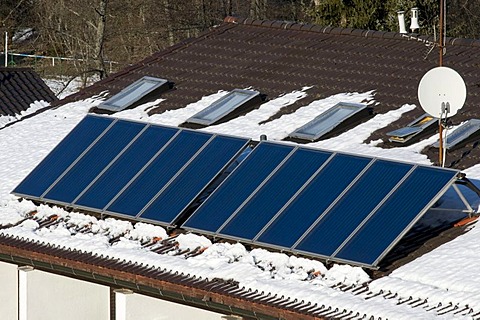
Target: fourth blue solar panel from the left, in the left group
x,y
157,175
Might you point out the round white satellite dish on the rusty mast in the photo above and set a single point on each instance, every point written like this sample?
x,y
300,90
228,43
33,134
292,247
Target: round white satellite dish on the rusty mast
x,y
442,92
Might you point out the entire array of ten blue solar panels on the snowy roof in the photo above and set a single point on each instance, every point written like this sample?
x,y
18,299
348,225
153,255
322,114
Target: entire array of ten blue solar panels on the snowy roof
x,y
330,205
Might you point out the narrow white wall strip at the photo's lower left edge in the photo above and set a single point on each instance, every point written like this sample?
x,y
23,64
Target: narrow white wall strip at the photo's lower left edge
x,y
8,291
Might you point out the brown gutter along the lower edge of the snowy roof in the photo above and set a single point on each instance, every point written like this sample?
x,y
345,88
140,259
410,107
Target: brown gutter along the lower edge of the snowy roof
x,y
216,295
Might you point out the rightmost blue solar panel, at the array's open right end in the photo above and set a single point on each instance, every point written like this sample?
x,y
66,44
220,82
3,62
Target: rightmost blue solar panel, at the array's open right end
x,y
399,211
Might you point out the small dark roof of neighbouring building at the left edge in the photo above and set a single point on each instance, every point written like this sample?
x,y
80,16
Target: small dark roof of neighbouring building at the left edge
x,y
19,87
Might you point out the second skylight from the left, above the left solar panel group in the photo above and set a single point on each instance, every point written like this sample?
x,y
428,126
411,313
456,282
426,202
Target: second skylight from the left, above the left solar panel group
x,y
223,106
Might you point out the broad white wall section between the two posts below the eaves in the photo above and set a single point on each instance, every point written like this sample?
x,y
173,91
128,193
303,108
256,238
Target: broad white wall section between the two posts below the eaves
x,y
53,297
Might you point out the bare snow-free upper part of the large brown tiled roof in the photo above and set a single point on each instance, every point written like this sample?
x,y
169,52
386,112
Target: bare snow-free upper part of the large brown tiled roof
x,y
276,57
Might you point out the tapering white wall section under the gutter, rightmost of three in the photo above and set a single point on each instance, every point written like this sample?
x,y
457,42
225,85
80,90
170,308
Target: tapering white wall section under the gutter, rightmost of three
x,y
139,307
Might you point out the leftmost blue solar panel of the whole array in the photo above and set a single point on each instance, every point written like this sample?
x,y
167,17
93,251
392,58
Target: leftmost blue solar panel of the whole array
x,y
62,156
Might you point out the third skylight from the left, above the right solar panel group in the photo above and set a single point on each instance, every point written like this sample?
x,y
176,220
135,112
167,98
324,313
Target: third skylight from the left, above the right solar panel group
x,y
327,121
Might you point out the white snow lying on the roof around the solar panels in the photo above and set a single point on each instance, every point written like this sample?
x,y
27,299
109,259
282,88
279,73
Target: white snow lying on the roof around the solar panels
x,y
438,275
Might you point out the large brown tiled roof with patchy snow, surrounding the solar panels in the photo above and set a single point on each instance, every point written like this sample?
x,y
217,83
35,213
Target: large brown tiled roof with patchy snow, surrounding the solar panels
x,y
305,70
